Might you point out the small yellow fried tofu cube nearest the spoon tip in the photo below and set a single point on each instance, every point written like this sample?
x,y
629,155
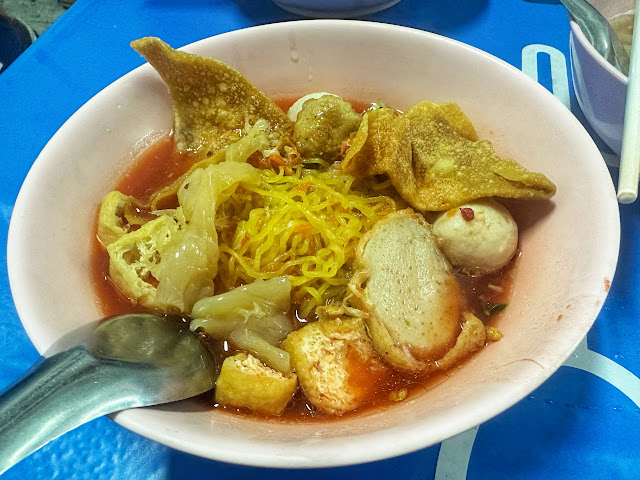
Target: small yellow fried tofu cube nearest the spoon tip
x,y
245,382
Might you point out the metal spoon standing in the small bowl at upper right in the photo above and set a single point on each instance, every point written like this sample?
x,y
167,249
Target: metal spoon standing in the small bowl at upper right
x,y
599,33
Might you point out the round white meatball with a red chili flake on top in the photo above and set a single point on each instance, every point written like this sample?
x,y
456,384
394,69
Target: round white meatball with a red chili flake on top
x,y
478,237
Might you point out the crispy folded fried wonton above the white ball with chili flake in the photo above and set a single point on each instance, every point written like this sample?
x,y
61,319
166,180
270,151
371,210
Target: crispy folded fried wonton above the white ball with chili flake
x,y
432,155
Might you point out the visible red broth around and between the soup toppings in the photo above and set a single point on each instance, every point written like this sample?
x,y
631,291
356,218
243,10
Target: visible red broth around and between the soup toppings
x,y
487,295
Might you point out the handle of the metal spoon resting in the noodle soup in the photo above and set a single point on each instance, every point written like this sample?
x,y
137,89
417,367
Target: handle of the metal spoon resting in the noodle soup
x,y
63,392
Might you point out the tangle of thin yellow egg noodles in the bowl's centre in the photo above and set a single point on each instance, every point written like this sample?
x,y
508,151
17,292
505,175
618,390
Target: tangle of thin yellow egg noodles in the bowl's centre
x,y
307,228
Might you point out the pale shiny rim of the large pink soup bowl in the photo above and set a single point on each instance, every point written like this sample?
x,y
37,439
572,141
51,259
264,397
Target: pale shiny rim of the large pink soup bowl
x,y
376,445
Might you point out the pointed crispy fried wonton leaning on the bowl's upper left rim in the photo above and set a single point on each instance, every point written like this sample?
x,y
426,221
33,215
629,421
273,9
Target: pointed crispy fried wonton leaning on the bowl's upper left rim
x,y
212,102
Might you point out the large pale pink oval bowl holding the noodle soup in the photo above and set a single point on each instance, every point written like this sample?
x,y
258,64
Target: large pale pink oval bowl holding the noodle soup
x,y
569,244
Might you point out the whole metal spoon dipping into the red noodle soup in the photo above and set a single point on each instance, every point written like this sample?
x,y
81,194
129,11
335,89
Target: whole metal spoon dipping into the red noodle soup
x,y
127,361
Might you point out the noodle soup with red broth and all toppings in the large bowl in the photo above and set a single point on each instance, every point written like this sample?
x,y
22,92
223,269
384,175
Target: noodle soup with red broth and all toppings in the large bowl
x,y
334,256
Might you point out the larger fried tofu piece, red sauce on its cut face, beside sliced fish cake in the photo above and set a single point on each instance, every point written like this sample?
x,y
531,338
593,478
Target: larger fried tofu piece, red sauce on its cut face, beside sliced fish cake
x,y
336,364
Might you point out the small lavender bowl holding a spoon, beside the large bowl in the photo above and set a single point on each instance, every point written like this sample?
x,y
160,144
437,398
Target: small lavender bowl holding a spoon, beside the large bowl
x,y
600,88
